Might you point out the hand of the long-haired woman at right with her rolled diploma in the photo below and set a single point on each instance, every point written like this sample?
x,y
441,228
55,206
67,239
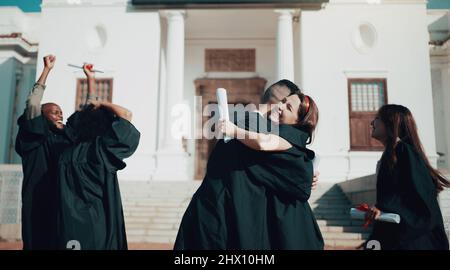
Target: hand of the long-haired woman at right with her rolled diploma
x,y
363,212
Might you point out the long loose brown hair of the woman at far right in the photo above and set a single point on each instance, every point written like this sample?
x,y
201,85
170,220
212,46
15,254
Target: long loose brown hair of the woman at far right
x,y
399,123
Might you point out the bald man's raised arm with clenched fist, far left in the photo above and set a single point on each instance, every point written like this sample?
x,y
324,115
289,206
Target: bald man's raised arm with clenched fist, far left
x,y
33,103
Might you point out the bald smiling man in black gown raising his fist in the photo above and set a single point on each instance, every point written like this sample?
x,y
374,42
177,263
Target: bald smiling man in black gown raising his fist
x,y
41,139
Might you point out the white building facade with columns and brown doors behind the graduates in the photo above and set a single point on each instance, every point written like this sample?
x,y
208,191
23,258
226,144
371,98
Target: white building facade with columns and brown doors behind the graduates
x,y
351,56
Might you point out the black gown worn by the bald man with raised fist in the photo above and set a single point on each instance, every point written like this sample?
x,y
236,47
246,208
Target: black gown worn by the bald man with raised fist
x,y
39,149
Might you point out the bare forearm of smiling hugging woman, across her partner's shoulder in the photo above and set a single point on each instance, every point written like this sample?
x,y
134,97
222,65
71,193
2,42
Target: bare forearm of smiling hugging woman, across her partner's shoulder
x,y
254,140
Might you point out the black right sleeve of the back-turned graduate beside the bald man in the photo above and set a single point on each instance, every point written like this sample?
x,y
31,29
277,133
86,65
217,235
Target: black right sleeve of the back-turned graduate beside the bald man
x,y
118,143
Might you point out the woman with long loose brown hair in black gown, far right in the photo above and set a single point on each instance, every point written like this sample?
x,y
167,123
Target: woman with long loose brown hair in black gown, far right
x,y
406,185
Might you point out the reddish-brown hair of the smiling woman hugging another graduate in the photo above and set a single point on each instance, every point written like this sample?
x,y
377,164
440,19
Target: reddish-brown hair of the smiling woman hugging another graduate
x,y
308,115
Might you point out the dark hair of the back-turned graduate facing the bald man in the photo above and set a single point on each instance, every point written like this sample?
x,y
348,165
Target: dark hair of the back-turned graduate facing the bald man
x,y
91,123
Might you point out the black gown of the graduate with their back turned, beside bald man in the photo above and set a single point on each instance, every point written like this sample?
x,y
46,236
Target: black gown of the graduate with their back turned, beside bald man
x,y
90,207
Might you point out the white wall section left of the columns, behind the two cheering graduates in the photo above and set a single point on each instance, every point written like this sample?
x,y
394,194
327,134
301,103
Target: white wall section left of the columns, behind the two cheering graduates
x,y
130,56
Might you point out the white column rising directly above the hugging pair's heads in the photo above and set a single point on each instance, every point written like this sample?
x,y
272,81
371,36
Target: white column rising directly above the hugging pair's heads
x,y
285,45
